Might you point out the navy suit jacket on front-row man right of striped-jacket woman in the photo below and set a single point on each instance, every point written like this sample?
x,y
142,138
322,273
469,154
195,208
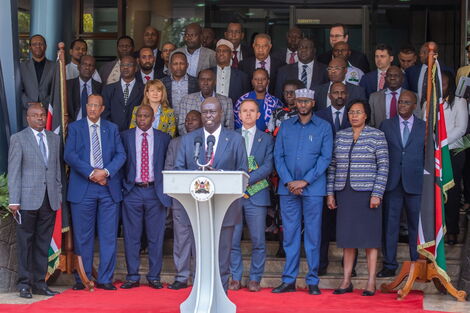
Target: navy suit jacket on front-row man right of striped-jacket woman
x,y
406,164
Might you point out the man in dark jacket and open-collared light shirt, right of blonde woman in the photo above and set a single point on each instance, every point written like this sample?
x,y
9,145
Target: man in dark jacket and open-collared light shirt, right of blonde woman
x,y
179,84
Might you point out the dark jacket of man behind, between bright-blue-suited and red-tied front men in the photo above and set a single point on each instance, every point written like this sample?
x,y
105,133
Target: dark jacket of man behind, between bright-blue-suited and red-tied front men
x,y
114,108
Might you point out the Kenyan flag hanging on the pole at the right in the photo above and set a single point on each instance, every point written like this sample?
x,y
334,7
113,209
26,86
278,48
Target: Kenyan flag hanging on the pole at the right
x,y
438,178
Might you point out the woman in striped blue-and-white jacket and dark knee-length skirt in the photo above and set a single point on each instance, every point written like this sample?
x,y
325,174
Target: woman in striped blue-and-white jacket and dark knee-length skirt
x,y
357,178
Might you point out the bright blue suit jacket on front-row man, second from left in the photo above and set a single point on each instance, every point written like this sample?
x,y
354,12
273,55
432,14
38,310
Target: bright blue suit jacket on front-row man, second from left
x,y
77,155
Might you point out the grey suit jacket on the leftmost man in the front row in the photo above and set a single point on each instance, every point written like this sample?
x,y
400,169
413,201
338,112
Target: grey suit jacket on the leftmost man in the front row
x,y
28,175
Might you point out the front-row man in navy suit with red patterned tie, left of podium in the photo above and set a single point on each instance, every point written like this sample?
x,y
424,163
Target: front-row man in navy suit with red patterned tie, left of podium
x,y
144,201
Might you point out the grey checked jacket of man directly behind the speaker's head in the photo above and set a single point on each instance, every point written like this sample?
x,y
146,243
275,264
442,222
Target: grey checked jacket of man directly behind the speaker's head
x,y
193,102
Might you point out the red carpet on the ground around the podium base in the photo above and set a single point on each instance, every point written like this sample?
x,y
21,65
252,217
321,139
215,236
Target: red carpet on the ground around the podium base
x,y
147,300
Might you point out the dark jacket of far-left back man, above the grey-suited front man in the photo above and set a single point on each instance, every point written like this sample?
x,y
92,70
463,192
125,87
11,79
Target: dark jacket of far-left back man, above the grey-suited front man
x,y
31,91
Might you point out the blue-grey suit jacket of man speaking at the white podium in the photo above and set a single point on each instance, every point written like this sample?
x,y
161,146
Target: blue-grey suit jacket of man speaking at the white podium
x,y
229,156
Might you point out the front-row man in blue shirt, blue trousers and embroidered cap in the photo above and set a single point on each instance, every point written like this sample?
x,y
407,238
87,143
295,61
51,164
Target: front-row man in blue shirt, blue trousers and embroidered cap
x,y
302,154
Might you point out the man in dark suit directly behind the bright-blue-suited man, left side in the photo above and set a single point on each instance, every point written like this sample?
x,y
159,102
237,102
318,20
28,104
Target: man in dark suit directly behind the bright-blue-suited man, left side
x,y
78,89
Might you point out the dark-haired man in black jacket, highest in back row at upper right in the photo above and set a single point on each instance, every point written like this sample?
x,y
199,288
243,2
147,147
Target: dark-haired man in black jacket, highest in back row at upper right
x,y
339,32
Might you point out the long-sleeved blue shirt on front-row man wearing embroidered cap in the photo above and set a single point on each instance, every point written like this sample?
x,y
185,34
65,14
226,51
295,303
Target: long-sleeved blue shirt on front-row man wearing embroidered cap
x,y
303,152
